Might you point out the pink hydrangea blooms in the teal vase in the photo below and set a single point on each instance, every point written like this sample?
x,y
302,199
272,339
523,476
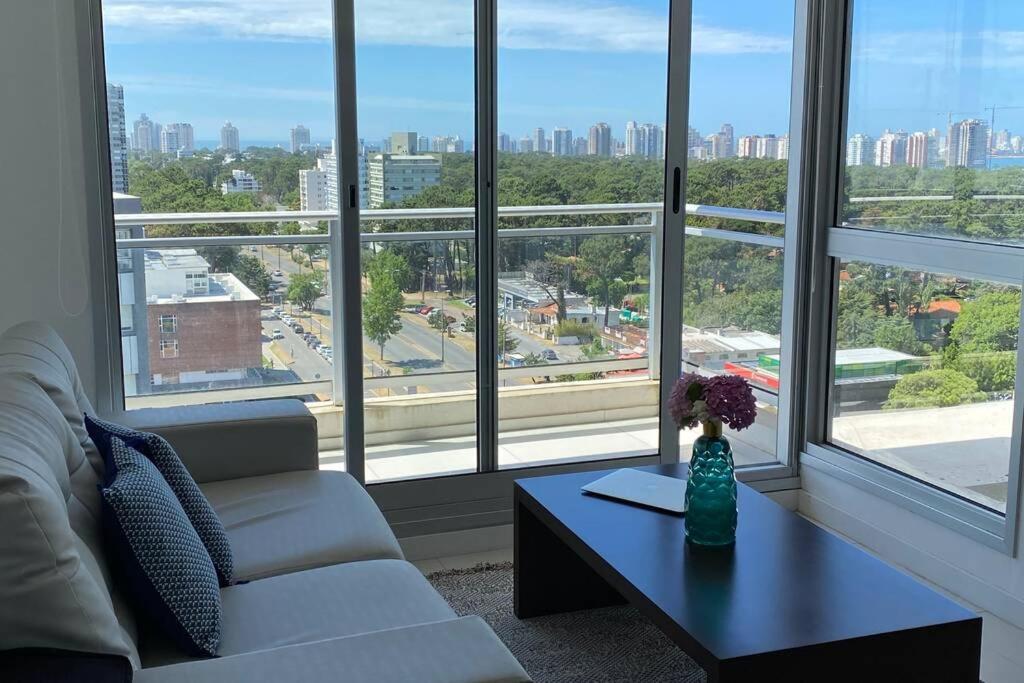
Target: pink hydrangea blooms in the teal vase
x,y
726,399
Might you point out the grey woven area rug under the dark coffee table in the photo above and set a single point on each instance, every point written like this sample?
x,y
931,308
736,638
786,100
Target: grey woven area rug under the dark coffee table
x,y
613,645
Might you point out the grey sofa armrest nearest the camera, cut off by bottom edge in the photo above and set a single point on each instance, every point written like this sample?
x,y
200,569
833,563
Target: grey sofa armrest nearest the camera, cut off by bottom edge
x,y
458,651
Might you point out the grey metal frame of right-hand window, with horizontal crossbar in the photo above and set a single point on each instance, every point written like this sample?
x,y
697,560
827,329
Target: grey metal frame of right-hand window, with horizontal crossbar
x,y
836,244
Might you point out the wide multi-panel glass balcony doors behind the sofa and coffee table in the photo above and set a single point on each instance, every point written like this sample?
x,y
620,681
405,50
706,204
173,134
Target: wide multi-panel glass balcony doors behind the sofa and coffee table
x,y
547,277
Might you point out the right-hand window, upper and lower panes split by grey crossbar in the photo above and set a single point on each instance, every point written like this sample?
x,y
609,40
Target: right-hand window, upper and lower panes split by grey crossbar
x,y
922,278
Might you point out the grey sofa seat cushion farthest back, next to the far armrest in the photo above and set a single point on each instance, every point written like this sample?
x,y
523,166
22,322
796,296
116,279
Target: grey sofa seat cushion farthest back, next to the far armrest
x,y
291,522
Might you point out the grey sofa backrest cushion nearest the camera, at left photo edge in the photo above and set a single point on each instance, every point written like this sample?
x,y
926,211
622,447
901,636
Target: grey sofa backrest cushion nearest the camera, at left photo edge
x,y
55,584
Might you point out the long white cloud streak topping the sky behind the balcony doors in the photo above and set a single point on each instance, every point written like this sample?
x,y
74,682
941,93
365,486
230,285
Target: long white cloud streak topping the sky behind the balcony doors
x,y
573,25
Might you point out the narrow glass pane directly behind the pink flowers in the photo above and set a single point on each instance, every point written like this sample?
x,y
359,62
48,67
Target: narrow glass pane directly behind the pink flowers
x,y
738,177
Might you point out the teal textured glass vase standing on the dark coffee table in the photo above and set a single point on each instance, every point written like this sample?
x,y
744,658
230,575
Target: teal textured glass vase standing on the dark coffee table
x,y
711,491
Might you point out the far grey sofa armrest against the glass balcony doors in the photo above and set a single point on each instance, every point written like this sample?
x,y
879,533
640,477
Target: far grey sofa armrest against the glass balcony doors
x,y
234,441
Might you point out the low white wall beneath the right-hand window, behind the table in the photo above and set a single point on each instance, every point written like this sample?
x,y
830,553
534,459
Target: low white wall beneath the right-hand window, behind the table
x,y
983,576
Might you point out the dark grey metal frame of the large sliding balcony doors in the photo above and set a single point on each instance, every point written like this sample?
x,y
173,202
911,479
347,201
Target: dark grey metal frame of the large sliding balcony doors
x,y
463,497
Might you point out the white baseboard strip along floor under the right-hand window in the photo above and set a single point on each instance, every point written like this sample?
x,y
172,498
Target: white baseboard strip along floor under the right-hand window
x,y
897,551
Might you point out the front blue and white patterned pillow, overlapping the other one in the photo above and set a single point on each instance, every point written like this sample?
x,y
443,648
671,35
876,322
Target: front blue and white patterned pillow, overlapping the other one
x,y
165,566
